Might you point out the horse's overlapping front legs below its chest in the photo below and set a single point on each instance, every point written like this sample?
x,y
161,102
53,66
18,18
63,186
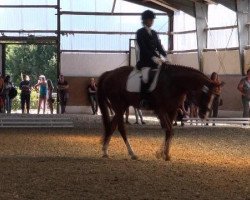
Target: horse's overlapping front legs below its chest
x,y
166,125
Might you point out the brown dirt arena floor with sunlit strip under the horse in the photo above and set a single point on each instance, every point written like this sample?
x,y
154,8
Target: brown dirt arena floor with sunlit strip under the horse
x,y
207,163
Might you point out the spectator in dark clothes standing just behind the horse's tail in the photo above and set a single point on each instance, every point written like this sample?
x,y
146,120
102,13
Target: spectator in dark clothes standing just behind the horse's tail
x,y
92,90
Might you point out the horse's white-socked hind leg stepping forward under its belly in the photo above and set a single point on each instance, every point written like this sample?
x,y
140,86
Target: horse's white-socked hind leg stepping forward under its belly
x,y
122,130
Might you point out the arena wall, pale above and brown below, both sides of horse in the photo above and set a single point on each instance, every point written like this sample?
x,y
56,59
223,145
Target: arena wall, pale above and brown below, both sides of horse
x,y
79,67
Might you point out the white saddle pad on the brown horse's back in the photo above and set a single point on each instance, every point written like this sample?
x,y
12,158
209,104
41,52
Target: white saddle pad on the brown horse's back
x,y
135,77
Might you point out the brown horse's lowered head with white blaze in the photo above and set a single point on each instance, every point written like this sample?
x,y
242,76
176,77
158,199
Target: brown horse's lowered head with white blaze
x,y
206,98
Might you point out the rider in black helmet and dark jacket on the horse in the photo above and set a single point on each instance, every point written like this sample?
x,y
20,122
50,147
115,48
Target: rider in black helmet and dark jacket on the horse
x,y
150,51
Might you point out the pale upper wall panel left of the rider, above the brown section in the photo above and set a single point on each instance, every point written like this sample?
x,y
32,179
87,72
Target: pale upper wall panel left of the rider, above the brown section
x,y
91,64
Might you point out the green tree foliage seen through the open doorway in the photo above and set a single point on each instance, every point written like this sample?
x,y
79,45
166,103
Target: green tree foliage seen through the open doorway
x,y
33,60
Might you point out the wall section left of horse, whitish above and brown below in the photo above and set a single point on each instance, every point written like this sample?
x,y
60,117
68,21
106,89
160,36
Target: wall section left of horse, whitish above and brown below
x,y
79,67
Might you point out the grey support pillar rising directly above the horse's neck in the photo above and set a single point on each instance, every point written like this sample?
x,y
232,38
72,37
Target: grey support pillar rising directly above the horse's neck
x,y
201,14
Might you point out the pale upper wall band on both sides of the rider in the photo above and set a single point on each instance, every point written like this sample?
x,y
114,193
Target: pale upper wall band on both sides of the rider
x,y
91,64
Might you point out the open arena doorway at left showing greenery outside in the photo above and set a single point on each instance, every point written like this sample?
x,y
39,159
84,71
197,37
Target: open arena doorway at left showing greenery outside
x,y
32,60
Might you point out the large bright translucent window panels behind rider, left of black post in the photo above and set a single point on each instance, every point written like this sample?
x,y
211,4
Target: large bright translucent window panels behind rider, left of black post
x,y
120,24
